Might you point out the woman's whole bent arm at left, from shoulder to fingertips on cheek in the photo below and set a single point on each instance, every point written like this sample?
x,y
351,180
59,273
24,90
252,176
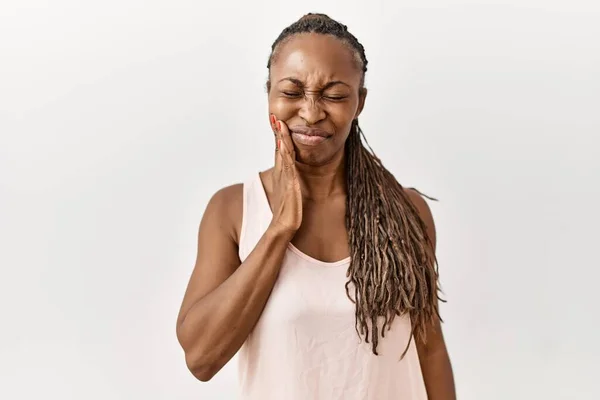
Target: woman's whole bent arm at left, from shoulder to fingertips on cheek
x,y
224,299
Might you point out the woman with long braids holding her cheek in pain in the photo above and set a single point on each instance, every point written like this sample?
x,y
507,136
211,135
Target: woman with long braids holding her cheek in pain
x,y
320,270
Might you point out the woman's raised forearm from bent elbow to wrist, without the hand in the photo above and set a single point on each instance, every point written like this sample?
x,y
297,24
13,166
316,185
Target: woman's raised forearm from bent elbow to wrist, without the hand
x,y
217,325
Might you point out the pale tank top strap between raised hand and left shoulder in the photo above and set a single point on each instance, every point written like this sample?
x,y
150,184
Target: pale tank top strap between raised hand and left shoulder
x,y
256,215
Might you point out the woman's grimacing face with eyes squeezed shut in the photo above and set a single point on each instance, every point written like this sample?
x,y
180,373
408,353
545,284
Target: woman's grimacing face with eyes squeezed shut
x,y
315,88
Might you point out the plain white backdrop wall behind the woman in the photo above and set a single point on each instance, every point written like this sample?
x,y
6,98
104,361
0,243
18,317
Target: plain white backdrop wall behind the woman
x,y
119,120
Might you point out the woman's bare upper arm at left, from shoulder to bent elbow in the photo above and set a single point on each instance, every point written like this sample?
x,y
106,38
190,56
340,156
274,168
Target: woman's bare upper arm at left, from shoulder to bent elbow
x,y
217,254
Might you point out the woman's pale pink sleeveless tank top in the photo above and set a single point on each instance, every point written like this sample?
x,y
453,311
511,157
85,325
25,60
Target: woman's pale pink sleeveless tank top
x,y
305,345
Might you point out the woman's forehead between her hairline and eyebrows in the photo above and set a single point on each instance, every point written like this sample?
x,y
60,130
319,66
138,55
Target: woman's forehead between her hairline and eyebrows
x,y
316,58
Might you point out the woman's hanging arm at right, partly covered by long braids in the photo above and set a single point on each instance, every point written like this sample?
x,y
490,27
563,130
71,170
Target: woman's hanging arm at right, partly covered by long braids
x,y
433,355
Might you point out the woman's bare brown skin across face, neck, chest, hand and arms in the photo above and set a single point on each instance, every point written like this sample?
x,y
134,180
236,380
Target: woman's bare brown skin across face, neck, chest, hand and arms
x,y
314,81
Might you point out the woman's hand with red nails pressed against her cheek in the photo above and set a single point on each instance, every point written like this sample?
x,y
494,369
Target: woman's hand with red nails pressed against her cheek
x,y
287,198
